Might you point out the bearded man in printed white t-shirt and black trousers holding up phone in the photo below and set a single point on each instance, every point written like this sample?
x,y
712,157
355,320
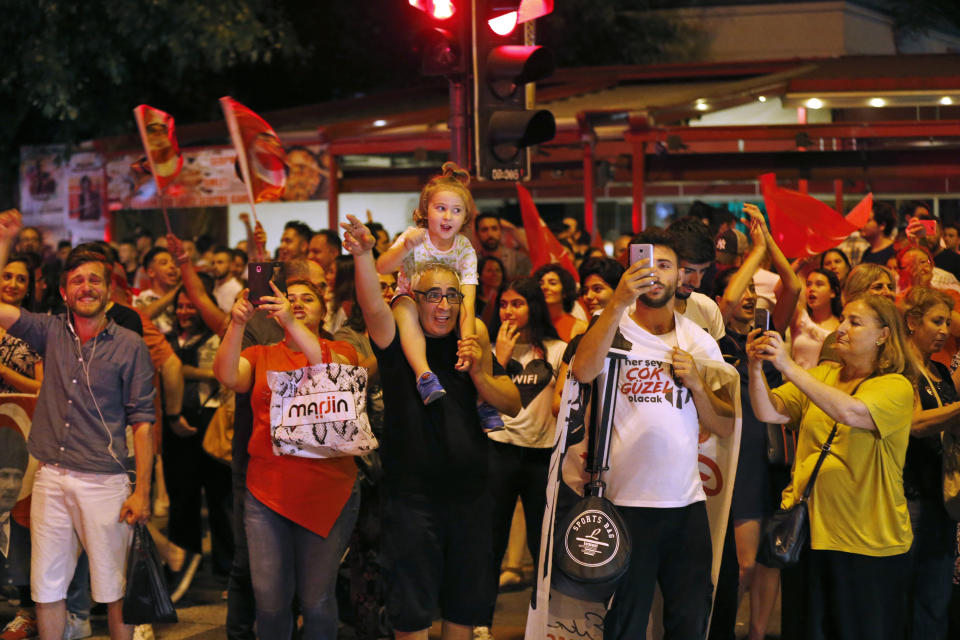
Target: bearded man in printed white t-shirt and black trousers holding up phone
x,y
662,402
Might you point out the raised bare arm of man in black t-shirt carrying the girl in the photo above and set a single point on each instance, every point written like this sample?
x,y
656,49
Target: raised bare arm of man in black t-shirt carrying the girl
x,y
358,240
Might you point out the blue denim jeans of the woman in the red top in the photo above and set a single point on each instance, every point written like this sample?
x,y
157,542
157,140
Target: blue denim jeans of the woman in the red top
x,y
287,559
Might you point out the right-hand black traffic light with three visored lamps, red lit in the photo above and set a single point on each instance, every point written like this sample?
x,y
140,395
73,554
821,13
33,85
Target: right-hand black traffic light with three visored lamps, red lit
x,y
503,64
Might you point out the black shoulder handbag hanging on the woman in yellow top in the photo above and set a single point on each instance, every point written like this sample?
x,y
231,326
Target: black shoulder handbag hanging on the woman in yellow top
x,y
786,532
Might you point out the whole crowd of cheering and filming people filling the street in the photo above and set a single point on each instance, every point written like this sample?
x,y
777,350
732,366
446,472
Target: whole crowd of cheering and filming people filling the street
x,y
476,343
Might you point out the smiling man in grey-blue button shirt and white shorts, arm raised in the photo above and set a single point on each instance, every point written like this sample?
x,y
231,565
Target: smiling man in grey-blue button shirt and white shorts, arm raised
x,y
102,383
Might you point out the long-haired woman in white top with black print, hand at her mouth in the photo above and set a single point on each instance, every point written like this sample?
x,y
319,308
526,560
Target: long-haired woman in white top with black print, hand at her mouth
x,y
527,346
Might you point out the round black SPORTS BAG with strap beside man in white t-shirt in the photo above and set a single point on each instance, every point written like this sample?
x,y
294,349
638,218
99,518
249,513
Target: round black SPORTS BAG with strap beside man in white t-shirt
x,y
591,547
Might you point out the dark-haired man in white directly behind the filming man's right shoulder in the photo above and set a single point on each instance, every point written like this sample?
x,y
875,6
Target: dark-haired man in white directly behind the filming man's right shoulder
x,y
696,254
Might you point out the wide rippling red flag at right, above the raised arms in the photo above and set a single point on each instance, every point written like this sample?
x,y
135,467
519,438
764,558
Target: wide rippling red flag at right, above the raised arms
x,y
804,226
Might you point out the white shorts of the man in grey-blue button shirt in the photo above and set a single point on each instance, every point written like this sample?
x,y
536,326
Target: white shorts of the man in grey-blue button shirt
x,y
70,509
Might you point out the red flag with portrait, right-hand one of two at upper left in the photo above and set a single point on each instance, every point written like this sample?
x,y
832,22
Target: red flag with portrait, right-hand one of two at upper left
x,y
262,159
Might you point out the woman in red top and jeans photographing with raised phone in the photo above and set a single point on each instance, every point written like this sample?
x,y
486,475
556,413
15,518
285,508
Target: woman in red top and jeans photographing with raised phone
x,y
299,511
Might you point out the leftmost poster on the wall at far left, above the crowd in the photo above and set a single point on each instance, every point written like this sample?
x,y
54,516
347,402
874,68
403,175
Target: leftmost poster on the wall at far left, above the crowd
x,y
43,185
